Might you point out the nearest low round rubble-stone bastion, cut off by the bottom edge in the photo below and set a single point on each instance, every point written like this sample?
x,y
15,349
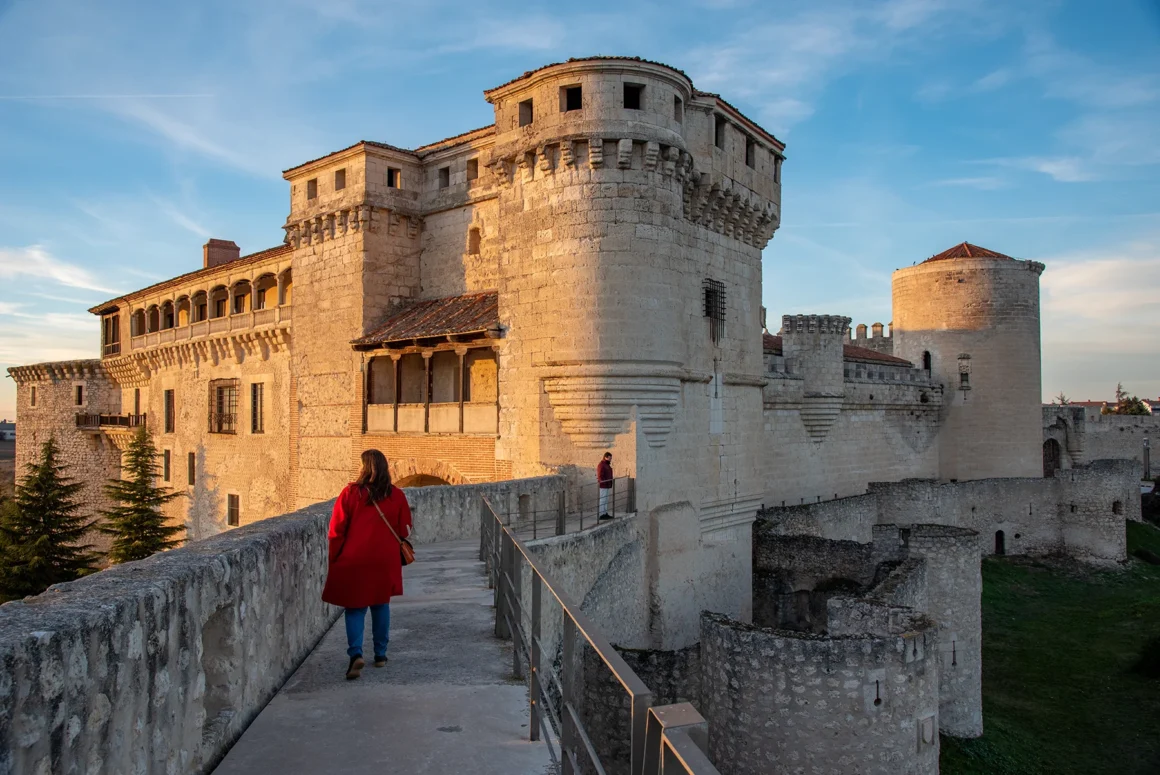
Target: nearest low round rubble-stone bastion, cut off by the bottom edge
x,y
782,701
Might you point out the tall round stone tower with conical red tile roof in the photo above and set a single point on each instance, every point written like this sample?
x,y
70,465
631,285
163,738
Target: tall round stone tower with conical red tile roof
x,y
971,317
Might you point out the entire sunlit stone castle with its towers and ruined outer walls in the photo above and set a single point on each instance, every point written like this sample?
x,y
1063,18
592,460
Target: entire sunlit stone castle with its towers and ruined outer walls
x,y
585,274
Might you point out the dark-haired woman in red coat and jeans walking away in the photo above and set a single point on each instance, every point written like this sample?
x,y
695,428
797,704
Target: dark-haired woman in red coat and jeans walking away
x,y
366,569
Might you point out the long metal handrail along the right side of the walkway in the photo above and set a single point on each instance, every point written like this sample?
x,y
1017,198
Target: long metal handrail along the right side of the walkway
x,y
505,556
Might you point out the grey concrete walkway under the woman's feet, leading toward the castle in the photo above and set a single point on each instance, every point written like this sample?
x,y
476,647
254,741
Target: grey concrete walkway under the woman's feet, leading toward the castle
x,y
445,704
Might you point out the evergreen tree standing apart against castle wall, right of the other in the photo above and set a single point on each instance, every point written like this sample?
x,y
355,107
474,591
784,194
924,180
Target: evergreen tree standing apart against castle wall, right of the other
x,y
136,523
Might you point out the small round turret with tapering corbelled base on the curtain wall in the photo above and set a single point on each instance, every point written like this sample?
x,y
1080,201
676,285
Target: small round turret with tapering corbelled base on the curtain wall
x,y
813,346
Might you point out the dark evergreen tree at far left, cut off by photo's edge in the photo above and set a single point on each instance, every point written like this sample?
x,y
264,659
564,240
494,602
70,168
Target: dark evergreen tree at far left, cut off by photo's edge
x,y
41,531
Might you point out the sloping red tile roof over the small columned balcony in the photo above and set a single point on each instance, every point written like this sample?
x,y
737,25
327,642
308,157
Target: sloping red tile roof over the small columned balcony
x,y
470,314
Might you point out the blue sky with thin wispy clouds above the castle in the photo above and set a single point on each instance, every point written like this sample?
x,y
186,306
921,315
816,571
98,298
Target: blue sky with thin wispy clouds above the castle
x,y
133,132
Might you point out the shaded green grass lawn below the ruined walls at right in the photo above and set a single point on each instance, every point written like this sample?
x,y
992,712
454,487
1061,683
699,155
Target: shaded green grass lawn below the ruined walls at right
x,y
1060,696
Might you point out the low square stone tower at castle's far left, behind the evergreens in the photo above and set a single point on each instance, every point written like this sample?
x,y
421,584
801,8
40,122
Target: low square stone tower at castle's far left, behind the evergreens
x,y
91,458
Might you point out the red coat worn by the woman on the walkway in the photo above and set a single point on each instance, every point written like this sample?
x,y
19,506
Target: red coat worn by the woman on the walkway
x,y
365,568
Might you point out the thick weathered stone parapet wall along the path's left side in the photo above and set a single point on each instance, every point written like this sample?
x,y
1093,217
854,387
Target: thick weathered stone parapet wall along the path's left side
x,y
157,667
